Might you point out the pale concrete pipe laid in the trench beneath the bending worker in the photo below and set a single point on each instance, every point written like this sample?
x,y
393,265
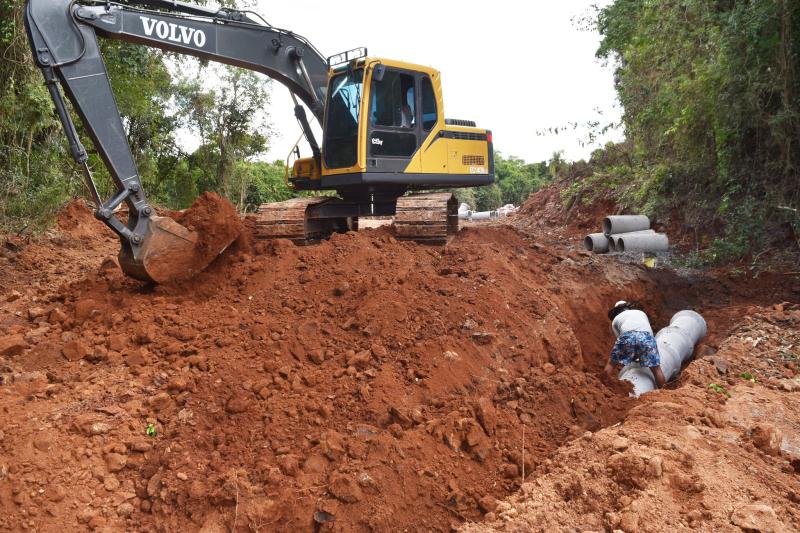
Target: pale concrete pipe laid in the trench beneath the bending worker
x,y
676,344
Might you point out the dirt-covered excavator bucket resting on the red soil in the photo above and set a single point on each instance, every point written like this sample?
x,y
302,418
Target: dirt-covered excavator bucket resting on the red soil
x,y
169,252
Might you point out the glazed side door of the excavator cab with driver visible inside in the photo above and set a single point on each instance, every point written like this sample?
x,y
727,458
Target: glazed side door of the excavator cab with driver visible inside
x,y
394,130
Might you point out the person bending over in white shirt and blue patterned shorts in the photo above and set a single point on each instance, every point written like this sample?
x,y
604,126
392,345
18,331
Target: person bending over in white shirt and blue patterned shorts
x,y
635,344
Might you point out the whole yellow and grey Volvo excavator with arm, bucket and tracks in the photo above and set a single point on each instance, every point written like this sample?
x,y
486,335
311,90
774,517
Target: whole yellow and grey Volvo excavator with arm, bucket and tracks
x,y
384,130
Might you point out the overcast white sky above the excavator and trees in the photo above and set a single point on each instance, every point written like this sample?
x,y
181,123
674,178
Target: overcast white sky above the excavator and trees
x,y
513,67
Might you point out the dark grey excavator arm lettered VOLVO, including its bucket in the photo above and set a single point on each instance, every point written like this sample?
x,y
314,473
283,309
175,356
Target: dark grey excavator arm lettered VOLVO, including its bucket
x,y
63,37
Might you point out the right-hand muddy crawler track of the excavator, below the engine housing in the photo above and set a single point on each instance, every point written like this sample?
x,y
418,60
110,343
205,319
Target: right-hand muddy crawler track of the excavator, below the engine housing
x,y
427,218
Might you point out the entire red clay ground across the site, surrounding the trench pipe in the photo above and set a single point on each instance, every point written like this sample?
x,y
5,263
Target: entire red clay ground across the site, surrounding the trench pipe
x,y
361,384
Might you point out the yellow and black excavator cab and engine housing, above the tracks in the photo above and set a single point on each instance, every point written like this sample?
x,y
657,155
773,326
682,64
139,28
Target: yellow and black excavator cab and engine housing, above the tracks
x,y
385,130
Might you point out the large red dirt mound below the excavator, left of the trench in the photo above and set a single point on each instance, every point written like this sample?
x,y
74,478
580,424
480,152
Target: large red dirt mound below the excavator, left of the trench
x,y
359,384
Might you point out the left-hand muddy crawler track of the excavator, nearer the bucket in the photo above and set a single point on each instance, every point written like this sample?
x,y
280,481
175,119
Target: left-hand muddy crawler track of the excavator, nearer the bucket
x,y
294,220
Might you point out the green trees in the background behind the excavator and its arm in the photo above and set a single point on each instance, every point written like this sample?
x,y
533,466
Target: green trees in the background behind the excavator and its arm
x,y
161,97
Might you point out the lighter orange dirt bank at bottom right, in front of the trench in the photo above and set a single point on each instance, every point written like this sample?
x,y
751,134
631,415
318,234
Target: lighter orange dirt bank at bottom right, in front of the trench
x,y
718,458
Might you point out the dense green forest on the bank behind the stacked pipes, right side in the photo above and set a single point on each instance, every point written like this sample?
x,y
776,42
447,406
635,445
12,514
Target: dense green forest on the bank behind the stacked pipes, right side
x,y
711,99
